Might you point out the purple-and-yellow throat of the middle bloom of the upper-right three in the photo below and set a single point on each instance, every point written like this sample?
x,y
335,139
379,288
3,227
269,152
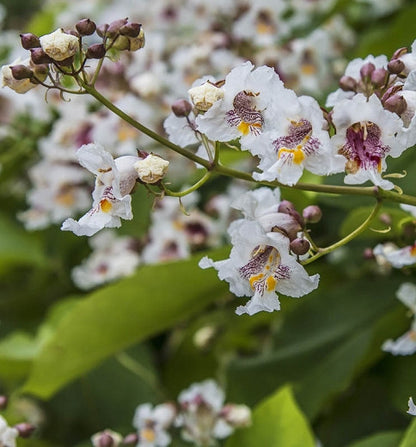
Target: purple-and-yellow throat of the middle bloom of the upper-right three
x,y
297,144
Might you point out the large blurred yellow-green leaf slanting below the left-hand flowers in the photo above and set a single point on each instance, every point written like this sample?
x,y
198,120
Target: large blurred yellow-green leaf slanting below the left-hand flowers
x,y
119,315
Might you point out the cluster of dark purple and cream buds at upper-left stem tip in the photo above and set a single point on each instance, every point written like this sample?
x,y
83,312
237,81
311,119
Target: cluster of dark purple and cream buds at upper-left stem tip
x,y
64,53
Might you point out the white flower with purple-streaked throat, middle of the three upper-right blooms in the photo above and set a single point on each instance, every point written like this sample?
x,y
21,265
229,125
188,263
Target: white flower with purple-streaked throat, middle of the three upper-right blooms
x,y
298,141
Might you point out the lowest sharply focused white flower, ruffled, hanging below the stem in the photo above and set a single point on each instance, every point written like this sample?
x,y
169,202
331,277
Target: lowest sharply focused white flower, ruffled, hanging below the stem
x,y
259,266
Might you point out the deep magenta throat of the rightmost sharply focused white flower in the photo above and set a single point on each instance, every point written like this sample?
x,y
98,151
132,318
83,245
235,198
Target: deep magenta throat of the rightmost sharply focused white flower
x,y
363,147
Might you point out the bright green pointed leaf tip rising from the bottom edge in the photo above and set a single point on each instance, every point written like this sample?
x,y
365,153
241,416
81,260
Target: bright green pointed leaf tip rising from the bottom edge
x,y
277,422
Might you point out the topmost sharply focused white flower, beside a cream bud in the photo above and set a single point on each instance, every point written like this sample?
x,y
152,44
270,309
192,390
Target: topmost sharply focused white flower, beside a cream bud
x,y
240,113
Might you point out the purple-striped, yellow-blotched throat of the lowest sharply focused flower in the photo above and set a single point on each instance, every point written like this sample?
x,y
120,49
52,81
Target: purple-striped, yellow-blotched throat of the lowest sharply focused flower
x,y
264,269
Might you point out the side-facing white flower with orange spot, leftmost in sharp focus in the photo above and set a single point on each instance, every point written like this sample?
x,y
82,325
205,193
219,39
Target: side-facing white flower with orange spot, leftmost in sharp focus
x,y
115,179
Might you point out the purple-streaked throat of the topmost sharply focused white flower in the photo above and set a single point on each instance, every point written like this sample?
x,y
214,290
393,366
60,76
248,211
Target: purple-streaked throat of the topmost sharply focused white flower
x,y
244,114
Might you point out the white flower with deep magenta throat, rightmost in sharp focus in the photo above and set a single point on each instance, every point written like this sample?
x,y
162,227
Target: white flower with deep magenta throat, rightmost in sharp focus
x,y
365,135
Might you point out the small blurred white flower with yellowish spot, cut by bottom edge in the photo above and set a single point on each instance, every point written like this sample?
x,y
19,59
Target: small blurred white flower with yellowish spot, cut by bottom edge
x,y
152,424
